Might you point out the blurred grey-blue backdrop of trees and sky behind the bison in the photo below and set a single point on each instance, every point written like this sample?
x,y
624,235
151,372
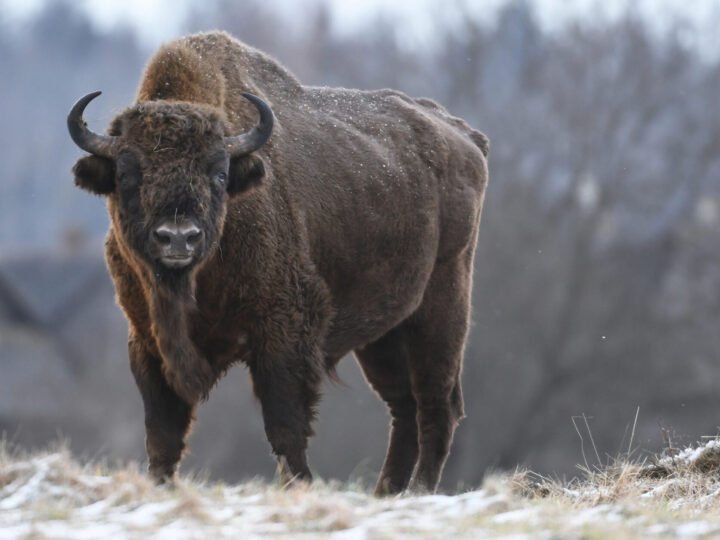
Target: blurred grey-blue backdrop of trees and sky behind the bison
x,y
597,286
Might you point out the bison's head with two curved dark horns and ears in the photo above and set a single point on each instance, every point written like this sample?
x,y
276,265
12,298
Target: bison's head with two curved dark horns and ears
x,y
168,169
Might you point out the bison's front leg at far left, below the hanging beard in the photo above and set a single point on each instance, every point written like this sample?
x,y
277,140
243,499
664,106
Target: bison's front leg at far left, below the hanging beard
x,y
167,416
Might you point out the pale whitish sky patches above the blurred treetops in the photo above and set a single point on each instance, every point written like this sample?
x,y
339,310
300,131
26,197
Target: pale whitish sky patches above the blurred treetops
x,y
159,20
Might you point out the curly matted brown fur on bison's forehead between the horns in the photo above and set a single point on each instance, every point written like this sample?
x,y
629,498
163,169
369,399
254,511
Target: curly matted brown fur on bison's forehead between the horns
x,y
187,128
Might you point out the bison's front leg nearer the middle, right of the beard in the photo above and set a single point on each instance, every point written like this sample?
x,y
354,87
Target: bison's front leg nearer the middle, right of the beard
x,y
288,390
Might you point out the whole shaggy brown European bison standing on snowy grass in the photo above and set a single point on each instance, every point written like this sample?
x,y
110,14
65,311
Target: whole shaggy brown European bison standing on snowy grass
x,y
351,228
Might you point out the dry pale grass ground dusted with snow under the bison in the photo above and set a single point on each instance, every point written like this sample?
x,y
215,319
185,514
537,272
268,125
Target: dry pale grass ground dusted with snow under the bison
x,y
50,495
